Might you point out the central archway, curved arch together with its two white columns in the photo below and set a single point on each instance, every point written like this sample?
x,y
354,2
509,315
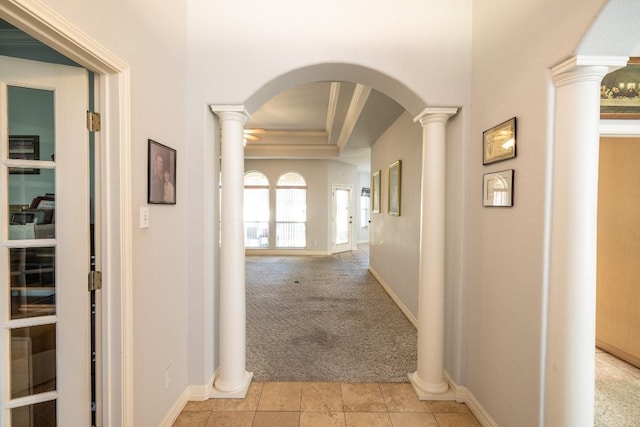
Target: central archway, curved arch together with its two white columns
x,y
428,380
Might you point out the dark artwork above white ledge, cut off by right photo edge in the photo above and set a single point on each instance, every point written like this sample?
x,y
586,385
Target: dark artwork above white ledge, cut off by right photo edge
x,y
619,92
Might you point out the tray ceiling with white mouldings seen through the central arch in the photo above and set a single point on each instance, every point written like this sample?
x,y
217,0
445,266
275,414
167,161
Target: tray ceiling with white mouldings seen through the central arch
x,y
322,120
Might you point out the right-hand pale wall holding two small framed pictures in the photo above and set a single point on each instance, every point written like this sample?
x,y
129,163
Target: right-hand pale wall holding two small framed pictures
x,y
506,246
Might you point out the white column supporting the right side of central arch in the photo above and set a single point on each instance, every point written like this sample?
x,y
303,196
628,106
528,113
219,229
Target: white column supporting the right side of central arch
x,y
428,381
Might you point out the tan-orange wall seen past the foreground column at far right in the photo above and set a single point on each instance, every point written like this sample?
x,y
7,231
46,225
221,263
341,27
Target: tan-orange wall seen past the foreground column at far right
x,y
618,288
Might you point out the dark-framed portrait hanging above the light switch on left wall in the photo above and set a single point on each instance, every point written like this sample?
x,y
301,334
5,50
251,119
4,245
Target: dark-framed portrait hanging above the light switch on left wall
x,y
162,174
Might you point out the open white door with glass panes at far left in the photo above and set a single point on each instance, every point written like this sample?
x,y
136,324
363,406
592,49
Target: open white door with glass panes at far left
x,y
44,262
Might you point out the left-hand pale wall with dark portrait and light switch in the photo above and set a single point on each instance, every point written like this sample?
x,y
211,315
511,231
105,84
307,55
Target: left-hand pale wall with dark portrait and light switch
x,y
151,40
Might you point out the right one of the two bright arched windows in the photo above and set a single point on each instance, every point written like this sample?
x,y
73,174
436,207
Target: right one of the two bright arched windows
x,y
291,211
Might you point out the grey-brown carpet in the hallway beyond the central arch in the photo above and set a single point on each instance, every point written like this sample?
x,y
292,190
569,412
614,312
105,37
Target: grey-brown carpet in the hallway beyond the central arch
x,y
324,318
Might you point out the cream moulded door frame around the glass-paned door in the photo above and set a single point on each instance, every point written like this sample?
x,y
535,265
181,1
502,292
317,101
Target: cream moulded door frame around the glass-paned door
x,y
113,99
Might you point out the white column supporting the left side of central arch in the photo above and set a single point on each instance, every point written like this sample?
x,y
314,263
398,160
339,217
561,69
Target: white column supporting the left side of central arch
x,y
232,380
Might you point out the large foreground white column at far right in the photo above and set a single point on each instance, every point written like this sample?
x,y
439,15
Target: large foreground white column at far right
x,y
570,363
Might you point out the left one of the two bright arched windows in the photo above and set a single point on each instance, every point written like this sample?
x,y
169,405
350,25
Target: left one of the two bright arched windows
x,y
256,210
